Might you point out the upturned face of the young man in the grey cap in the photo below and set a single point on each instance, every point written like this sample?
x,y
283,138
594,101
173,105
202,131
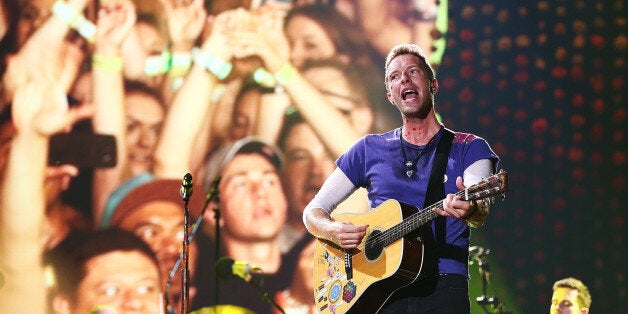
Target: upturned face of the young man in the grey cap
x,y
252,200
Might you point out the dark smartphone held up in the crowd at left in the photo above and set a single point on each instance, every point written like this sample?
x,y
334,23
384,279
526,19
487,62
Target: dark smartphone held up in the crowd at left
x,y
82,150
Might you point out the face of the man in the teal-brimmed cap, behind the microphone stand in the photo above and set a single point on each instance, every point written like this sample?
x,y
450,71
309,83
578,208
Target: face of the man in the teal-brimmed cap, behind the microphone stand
x,y
160,225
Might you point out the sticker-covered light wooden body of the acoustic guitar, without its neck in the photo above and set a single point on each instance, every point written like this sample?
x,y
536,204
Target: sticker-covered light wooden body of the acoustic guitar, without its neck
x,y
362,281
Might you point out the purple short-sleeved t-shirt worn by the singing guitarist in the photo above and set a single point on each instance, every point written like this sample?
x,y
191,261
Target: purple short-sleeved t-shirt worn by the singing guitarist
x,y
376,163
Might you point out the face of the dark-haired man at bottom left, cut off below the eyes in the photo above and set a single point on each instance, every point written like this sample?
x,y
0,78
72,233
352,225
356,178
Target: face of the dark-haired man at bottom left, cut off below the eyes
x,y
126,281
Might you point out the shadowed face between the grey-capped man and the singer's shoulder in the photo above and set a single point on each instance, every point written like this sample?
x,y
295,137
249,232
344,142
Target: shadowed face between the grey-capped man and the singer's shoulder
x,y
307,165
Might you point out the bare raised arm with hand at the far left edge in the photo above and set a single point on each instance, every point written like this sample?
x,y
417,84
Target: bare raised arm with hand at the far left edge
x,y
39,110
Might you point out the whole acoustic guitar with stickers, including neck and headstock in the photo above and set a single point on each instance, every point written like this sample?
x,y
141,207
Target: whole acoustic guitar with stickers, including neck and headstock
x,y
362,280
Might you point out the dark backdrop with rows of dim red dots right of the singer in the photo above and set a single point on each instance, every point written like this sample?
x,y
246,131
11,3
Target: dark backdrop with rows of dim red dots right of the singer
x,y
545,83
